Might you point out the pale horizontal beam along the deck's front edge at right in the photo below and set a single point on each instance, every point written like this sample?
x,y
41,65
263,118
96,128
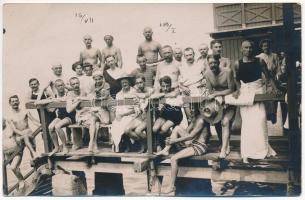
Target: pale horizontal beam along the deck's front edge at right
x,y
228,174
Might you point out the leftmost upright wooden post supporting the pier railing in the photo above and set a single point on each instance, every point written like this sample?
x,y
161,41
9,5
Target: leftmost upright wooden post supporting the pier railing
x,y
45,130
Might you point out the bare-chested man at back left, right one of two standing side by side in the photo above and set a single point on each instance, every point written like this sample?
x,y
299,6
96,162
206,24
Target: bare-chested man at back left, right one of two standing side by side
x,y
111,50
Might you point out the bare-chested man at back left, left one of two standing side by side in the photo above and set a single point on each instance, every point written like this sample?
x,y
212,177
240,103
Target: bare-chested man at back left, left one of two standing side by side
x,y
90,54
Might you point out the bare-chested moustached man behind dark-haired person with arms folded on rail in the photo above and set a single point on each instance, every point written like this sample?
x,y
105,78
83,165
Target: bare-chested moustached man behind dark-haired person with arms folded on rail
x,y
168,67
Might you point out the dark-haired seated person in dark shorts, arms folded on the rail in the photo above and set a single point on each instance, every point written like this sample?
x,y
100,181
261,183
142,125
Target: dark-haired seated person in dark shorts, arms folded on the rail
x,y
169,114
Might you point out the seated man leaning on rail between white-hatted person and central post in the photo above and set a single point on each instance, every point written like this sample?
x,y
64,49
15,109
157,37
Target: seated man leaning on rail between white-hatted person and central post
x,y
135,129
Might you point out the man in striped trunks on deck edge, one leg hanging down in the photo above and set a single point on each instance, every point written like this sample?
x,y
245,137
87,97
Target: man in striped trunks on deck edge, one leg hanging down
x,y
194,138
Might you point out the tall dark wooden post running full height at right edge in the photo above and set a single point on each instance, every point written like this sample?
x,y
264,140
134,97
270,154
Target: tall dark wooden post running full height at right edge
x,y
294,132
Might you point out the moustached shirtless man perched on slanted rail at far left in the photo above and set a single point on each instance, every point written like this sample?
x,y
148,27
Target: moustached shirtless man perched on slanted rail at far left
x,y
18,121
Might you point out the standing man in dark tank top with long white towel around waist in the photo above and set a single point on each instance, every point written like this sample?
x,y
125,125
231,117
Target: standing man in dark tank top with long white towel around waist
x,y
254,134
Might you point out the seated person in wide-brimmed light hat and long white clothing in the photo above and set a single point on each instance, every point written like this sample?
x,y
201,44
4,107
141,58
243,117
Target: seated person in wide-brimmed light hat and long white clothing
x,y
124,113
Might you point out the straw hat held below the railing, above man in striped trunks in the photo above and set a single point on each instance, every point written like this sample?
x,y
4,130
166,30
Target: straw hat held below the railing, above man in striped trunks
x,y
212,111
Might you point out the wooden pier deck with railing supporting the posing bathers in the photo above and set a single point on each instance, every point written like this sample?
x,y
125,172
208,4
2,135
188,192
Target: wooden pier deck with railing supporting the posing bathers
x,y
272,170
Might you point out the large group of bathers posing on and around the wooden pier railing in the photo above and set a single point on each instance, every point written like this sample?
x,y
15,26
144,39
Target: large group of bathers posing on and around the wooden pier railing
x,y
163,73
